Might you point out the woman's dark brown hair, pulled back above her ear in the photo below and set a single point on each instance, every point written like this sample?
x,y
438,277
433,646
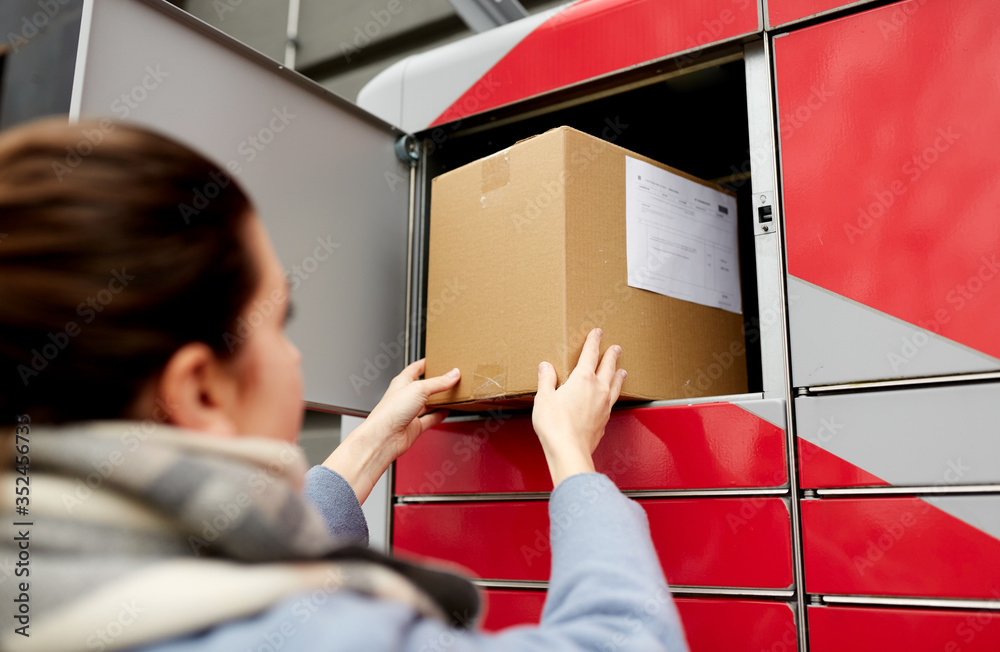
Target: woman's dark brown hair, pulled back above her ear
x,y
117,247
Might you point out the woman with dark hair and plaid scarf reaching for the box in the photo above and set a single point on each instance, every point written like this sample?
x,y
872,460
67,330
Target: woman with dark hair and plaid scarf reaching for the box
x,y
162,502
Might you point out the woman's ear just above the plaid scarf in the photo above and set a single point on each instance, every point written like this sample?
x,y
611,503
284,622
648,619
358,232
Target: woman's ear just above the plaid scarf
x,y
203,394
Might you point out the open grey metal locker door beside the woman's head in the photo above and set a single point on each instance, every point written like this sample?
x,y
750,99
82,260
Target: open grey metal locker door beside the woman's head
x,y
322,174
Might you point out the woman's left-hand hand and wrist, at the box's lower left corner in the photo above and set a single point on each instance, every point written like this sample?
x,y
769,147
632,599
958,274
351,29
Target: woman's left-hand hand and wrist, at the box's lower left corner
x,y
391,428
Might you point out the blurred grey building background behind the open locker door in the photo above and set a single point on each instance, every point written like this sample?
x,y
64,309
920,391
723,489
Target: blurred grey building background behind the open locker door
x,y
341,44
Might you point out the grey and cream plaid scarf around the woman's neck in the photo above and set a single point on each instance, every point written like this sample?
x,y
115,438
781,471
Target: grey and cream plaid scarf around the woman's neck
x,y
141,532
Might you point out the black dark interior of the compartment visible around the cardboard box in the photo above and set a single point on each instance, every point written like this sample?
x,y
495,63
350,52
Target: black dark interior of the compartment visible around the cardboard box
x,y
696,122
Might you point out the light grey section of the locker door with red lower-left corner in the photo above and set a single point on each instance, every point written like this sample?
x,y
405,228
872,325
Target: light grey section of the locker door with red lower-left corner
x,y
942,436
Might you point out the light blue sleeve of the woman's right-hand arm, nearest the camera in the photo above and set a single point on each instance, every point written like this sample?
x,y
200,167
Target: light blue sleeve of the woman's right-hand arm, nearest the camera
x,y
606,592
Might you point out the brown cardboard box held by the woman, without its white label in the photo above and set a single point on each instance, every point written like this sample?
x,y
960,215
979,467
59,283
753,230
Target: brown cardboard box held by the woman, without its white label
x,y
528,253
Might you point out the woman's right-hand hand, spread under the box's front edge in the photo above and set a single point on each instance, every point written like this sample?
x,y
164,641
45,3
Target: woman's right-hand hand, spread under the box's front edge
x,y
570,420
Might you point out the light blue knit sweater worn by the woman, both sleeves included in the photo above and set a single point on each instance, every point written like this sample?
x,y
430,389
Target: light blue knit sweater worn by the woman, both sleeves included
x,y
606,592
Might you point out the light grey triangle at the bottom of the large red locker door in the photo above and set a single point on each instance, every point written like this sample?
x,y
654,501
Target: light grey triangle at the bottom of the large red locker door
x,y
837,340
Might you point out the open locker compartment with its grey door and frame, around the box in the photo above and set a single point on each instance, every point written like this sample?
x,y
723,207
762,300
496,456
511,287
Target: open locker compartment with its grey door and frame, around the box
x,y
336,169
